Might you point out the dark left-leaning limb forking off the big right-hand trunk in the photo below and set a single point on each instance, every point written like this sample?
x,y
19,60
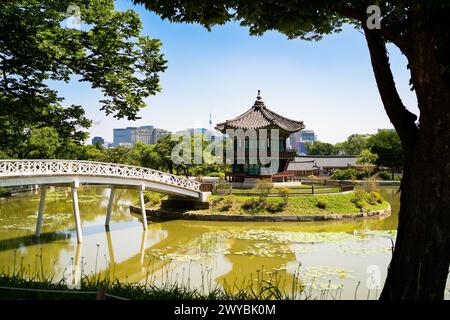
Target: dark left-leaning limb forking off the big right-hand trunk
x,y
402,119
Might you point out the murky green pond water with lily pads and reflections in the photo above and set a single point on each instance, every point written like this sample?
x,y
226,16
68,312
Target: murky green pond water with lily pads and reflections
x,y
347,258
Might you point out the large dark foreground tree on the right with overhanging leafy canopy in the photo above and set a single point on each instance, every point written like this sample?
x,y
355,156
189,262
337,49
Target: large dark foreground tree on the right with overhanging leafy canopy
x,y
421,30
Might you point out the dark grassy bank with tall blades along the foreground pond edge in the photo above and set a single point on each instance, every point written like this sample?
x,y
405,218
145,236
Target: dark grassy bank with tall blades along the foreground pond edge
x,y
18,286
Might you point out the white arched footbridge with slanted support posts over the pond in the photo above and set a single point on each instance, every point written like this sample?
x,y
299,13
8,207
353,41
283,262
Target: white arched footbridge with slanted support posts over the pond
x,y
74,173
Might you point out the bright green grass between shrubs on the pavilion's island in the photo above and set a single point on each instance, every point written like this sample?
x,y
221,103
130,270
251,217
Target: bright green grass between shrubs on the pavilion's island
x,y
302,205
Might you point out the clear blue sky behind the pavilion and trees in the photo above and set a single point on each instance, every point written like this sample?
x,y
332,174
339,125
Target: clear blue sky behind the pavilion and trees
x,y
328,84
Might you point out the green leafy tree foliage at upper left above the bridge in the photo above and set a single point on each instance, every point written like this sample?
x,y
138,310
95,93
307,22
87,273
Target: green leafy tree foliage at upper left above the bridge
x,y
38,46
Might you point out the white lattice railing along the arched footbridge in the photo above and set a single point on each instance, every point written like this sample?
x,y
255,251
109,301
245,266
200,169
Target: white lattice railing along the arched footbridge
x,y
19,168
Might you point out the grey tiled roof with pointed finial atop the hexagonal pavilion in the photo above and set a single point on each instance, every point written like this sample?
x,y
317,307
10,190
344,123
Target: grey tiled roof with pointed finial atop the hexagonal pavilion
x,y
259,117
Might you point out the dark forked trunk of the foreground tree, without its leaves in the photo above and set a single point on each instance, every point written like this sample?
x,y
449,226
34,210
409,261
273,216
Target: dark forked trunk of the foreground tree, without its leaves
x,y
421,257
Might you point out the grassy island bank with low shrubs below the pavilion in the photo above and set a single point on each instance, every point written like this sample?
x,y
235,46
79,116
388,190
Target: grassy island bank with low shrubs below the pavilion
x,y
355,202
